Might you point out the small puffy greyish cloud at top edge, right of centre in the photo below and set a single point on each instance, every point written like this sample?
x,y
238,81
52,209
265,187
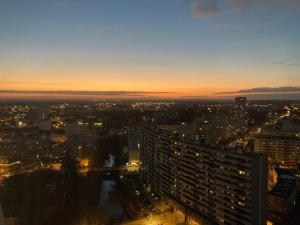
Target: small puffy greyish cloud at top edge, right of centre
x,y
206,8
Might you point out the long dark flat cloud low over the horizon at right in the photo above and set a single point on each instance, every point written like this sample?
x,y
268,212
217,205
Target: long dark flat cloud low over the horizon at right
x,y
264,90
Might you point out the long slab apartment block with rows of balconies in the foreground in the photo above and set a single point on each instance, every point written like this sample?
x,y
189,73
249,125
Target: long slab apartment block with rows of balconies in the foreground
x,y
224,186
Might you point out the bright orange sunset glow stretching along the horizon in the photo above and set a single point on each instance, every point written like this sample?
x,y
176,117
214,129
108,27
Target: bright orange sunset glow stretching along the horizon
x,y
159,84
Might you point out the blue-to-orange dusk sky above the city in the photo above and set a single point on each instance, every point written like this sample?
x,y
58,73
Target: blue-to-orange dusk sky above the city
x,y
157,48
